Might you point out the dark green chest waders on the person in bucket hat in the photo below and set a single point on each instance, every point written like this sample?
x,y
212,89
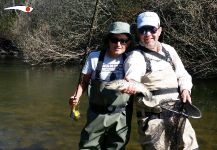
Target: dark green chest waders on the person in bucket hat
x,y
108,118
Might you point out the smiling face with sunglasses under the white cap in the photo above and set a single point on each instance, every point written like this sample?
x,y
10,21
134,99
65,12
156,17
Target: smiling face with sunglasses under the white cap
x,y
149,37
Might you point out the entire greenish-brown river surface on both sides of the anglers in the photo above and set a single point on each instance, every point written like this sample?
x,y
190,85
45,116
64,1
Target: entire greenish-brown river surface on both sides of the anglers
x,y
34,111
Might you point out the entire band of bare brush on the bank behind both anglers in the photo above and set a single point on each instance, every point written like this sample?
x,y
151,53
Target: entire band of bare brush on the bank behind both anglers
x,y
58,32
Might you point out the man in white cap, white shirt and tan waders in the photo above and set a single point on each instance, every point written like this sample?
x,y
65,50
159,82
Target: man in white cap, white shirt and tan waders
x,y
159,67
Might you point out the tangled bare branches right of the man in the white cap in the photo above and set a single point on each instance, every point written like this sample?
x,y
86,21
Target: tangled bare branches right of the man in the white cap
x,y
191,26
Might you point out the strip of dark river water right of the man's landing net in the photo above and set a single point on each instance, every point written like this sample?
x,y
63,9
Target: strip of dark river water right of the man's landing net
x,y
204,95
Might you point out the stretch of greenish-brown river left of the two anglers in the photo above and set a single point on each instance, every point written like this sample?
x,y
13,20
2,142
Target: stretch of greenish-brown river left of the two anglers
x,y
34,108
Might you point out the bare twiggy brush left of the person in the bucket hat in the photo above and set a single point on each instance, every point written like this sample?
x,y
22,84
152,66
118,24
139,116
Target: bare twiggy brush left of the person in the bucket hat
x,y
60,31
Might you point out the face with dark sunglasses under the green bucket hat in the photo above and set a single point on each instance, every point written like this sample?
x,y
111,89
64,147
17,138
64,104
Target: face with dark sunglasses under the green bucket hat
x,y
118,43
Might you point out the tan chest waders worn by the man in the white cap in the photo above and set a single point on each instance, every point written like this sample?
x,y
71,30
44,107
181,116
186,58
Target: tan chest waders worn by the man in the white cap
x,y
154,125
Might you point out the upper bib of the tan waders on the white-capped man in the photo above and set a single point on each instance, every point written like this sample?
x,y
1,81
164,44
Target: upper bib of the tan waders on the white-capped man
x,y
162,83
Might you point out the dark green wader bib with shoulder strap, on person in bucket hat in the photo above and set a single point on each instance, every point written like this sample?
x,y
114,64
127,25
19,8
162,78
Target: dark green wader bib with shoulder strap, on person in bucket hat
x,y
102,100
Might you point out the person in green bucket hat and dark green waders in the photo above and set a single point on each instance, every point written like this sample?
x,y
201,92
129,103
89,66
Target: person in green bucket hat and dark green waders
x,y
108,117
